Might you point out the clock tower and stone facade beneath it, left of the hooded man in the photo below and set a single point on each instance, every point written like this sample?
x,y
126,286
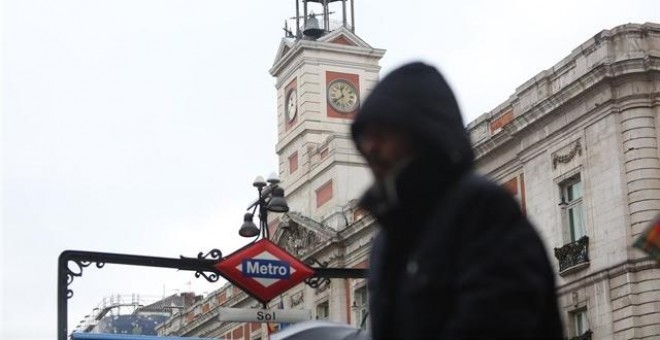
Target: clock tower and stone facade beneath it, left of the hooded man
x,y
320,81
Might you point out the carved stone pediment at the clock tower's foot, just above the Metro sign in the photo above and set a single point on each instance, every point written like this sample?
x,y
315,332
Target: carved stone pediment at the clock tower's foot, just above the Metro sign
x,y
299,234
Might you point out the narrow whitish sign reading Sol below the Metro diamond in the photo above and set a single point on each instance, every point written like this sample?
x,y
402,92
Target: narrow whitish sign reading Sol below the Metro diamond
x,y
263,315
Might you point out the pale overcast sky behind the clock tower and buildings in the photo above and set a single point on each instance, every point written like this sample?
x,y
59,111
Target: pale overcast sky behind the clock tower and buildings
x,y
137,126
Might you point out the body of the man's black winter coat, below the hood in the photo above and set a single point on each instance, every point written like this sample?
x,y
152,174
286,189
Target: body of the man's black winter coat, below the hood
x,y
477,270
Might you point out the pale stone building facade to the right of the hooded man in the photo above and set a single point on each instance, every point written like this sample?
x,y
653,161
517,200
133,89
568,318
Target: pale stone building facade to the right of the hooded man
x,y
579,145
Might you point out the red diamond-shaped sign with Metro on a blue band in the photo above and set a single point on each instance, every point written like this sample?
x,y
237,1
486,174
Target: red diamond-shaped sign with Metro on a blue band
x,y
263,270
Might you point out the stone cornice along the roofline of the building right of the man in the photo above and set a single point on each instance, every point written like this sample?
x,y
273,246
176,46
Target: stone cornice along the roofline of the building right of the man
x,y
610,55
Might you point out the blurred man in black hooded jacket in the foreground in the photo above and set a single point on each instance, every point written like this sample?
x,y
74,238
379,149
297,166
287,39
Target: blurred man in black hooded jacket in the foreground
x,y
455,257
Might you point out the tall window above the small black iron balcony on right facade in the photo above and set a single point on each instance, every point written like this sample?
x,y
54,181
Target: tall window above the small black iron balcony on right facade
x,y
571,196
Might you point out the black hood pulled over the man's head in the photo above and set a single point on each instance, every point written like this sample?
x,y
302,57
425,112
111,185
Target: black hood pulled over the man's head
x,y
417,99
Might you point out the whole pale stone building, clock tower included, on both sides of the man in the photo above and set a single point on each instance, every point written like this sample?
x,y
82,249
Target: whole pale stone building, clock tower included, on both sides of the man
x,y
578,145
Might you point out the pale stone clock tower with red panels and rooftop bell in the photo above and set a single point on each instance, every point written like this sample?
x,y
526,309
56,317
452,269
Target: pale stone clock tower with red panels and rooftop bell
x,y
323,71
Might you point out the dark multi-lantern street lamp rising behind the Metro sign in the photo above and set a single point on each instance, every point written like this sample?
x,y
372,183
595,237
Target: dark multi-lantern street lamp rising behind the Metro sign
x,y
271,198
